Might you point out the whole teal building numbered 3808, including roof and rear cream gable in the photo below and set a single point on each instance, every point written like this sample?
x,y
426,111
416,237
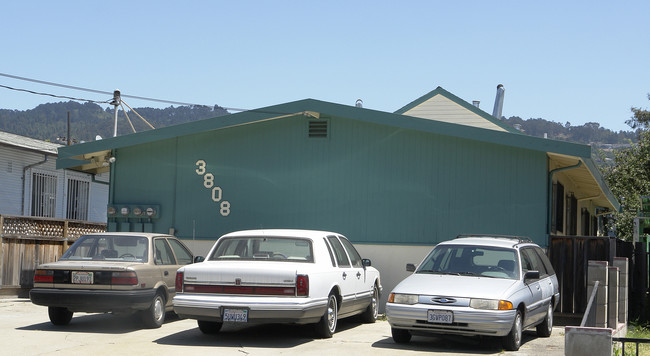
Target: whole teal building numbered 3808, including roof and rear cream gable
x,y
394,183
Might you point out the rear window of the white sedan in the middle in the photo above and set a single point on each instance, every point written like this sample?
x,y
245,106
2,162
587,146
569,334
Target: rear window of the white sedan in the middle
x,y
263,248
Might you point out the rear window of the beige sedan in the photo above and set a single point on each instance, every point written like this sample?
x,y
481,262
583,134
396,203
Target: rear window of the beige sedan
x,y
108,248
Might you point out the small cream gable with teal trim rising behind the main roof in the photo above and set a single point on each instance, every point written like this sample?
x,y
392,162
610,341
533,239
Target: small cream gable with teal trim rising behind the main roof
x,y
441,105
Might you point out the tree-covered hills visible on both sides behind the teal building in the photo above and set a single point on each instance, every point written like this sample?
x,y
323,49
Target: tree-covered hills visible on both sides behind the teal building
x,y
49,122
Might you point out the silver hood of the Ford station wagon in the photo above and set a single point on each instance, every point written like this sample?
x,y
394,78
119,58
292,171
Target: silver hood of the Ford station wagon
x,y
456,286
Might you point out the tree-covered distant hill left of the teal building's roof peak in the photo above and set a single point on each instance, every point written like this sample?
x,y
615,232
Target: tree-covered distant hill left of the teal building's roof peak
x,y
49,121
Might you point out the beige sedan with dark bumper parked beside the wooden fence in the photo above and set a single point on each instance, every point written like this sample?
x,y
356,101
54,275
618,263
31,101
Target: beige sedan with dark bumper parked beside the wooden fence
x,y
121,272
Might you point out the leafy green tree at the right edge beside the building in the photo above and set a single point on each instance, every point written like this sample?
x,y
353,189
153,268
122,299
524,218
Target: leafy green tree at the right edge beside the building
x,y
629,177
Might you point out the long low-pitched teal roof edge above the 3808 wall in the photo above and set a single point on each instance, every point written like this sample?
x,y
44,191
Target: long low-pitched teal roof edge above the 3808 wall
x,y
93,156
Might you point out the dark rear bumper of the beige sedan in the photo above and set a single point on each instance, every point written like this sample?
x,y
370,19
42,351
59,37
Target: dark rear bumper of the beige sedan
x,y
99,301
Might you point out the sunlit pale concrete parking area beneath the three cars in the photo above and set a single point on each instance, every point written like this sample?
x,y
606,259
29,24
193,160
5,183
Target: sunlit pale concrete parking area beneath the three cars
x,y
25,330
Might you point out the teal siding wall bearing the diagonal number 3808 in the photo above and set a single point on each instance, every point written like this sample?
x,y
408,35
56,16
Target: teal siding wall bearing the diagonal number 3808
x,y
375,183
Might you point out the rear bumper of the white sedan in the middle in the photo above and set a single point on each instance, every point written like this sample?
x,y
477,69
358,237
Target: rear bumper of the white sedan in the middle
x,y
260,309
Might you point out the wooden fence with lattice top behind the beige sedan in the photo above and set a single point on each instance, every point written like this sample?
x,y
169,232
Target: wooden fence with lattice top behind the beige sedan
x,y
29,241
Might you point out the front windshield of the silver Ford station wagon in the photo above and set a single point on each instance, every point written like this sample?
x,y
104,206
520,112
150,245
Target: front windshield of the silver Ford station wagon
x,y
468,260
